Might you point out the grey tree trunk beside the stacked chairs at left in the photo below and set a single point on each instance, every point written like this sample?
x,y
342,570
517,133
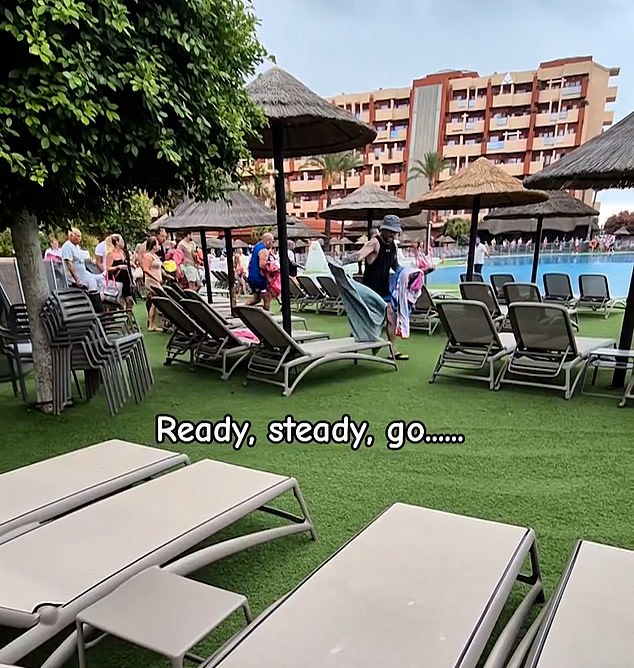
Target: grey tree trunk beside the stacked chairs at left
x,y
26,242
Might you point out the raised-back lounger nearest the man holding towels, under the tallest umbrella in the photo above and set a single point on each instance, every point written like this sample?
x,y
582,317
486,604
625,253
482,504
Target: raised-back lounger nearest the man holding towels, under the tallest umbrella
x,y
279,357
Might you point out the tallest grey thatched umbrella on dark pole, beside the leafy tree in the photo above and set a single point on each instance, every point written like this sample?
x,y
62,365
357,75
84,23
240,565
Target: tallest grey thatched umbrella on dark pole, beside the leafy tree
x,y
300,124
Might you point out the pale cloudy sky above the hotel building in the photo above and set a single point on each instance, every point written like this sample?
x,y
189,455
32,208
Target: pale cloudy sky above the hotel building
x,y
347,46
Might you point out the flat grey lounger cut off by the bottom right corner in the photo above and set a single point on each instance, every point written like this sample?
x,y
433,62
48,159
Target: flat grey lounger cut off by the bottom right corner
x,y
589,621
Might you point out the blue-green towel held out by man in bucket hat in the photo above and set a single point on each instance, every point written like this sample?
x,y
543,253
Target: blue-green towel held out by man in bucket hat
x,y
365,310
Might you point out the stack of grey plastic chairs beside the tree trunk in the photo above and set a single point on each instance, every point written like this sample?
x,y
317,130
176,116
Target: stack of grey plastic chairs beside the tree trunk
x,y
80,342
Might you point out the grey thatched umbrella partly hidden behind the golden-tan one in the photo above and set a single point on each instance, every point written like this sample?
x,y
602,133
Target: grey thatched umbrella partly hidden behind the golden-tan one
x,y
559,204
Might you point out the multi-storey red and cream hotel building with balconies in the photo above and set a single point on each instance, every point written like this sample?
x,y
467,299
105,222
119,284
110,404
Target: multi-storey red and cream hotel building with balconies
x,y
521,121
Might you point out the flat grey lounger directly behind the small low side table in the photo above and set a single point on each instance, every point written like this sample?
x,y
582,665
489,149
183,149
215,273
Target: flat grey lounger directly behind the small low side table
x,y
52,572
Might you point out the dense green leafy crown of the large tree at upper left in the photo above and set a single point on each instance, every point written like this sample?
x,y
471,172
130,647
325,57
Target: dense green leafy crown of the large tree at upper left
x,y
118,96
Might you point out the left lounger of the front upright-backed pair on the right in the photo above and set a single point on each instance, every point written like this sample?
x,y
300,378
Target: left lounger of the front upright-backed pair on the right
x,y
473,342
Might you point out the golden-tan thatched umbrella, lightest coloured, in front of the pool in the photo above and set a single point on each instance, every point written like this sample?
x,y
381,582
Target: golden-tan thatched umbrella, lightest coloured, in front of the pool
x,y
481,184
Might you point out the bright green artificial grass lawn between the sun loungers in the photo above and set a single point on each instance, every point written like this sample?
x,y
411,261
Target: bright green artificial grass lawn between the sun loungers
x,y
565,468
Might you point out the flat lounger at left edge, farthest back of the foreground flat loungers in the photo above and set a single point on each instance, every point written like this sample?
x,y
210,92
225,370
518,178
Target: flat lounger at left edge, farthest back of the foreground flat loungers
x,y
39,492
